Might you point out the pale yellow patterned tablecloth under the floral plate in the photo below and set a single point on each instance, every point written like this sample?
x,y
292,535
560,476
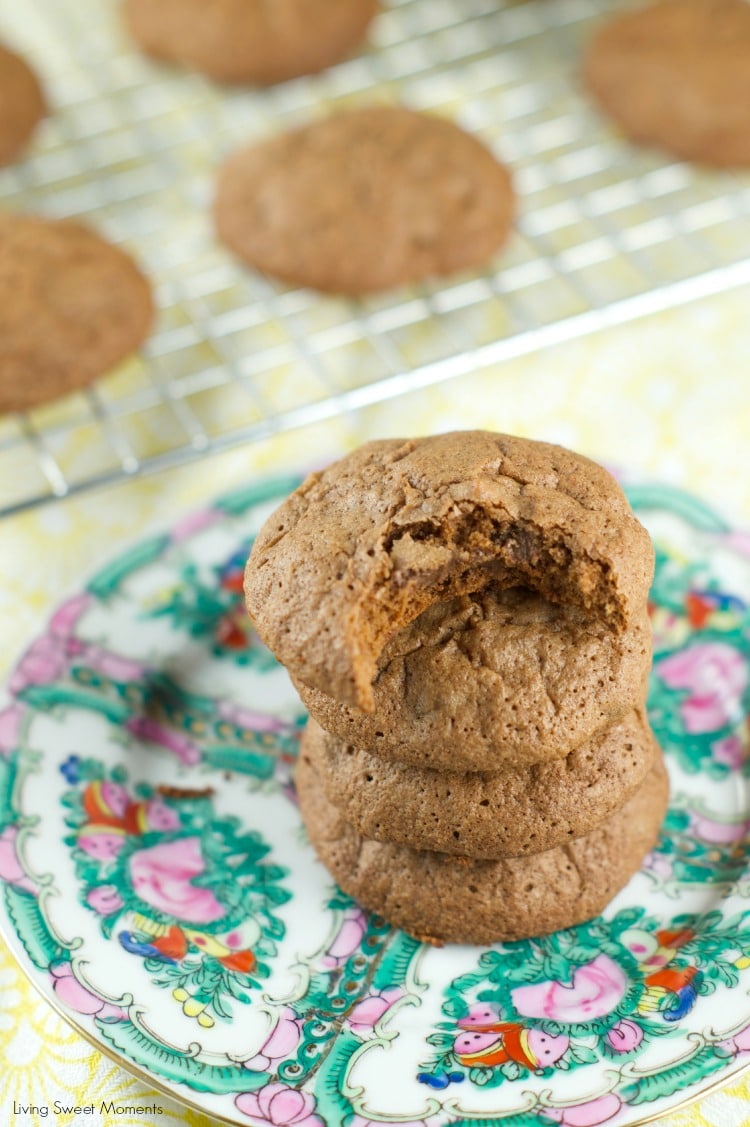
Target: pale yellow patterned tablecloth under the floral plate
x,y
667,398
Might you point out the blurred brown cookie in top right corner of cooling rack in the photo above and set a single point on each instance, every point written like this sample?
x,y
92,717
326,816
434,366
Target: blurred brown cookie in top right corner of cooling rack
x,y
677,75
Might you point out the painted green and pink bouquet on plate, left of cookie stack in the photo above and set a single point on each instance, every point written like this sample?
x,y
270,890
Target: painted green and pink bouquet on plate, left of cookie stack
x,y
200,954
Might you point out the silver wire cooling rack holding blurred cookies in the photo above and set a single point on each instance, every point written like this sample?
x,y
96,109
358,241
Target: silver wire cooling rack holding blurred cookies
x,y
606,233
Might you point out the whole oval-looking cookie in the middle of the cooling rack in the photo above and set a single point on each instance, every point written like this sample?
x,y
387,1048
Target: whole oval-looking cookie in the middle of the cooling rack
x,y
365,201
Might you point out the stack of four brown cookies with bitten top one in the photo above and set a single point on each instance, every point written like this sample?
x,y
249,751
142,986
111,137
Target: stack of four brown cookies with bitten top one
x,y
465,618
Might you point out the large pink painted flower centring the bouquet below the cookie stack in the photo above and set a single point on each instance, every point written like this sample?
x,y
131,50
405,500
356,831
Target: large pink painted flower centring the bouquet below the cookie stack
x,y
595,990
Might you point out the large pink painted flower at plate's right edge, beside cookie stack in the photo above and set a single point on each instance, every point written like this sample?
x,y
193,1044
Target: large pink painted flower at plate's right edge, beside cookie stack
x,y
717,678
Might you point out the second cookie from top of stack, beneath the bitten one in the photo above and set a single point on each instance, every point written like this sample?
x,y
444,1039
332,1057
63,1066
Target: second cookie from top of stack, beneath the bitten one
x,y
493,679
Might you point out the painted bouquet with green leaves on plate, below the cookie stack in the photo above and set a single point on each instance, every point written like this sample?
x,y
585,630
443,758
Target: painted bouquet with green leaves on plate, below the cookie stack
x,y
693,956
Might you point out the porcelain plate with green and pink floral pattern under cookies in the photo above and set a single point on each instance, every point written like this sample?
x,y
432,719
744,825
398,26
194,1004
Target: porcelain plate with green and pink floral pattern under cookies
x,y
160,890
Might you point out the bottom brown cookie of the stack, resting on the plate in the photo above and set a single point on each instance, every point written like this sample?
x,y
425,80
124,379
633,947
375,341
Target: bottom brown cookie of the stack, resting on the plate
x,y
453,900
